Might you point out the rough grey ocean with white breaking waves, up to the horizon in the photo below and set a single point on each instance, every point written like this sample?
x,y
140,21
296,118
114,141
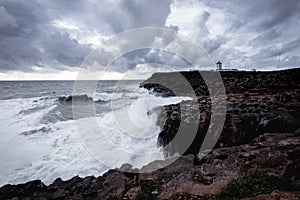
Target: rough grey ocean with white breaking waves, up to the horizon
x,y
39,138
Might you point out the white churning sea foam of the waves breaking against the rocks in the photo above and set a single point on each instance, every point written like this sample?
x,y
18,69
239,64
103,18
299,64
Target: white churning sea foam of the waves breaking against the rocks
x,y
51,150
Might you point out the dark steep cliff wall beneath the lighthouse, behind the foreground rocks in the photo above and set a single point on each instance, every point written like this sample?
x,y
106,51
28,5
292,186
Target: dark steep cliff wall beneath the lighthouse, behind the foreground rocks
x,y
257,102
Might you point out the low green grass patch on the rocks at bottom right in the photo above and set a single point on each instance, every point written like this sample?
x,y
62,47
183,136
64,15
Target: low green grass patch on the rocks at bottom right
x,y
251,185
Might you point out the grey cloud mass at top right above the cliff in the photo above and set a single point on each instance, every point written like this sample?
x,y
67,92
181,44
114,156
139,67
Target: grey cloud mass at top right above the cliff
x,y
258,31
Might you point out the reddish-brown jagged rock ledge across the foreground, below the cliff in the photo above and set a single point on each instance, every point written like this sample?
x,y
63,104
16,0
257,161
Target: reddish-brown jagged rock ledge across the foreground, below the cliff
x,y
273,154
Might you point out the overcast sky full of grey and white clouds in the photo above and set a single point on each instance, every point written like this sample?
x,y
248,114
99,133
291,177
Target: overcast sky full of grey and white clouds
x,y
50,39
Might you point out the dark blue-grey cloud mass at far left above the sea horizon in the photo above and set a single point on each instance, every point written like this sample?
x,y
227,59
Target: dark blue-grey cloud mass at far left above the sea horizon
x,y
31,41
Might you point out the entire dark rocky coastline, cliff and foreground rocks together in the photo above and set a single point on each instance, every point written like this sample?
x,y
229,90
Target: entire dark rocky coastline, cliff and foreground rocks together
x,y
257,155
